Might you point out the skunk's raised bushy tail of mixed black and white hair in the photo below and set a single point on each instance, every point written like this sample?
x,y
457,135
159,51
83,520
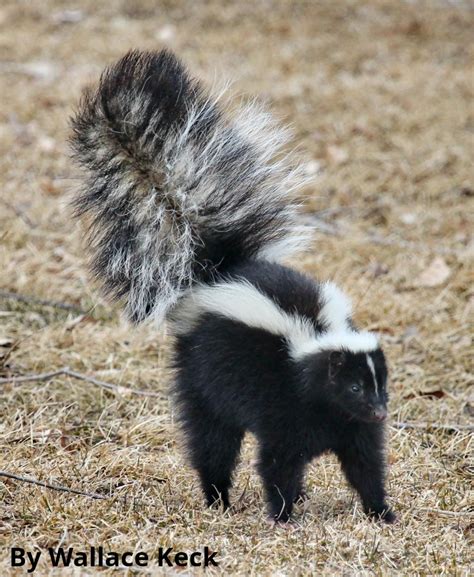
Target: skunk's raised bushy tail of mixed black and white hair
x,y
176,191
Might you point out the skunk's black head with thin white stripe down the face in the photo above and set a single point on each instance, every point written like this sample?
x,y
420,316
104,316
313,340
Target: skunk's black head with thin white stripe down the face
x,y
355,382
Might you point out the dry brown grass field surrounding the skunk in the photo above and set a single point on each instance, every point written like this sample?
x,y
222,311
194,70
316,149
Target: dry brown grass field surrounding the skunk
x,y
380,96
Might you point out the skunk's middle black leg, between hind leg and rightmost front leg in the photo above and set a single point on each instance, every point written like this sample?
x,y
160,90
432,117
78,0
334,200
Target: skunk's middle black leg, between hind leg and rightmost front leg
x,y
282,476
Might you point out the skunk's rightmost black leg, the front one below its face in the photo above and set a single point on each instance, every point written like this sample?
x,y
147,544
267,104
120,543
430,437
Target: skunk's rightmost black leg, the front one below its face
x,y
362,459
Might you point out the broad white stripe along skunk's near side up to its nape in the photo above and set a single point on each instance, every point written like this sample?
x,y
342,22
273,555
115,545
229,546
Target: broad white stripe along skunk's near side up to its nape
x,y
243,302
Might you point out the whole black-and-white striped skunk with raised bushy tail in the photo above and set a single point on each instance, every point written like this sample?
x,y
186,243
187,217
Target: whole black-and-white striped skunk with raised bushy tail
x,y
189,213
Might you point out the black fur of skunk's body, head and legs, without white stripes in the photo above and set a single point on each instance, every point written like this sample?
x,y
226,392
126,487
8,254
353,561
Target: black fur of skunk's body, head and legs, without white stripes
x,y
232,378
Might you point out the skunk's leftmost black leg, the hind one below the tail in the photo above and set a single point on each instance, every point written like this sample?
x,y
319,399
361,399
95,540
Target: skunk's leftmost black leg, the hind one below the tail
x,y
214,447
